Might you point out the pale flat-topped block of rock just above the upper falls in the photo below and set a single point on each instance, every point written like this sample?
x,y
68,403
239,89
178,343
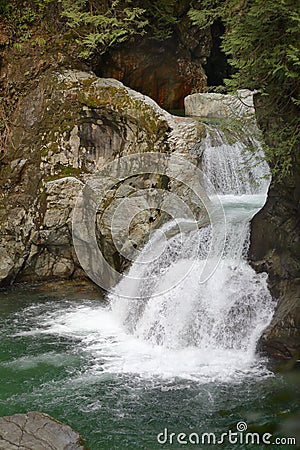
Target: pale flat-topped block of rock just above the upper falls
x,y
220,106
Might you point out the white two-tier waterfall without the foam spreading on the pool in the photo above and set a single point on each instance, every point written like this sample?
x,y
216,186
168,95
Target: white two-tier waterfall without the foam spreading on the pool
x,y
230,310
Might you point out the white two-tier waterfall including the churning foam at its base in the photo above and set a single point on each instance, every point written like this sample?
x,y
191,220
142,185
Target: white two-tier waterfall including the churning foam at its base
x,y
204,331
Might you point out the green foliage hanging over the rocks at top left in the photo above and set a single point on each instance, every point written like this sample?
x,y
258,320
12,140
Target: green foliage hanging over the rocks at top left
x,y
96,25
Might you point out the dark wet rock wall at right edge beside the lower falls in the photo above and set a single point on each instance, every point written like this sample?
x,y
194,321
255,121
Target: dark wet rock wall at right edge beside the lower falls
x,y
275,249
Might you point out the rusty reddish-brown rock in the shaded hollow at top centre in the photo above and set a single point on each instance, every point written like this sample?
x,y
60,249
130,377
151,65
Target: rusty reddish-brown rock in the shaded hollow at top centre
x,y
163,70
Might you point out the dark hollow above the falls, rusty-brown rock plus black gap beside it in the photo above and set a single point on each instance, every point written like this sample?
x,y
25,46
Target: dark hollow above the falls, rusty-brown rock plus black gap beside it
x,y
168,71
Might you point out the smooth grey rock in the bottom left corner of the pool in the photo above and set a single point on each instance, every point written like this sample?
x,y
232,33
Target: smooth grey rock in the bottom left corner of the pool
x,y
37,431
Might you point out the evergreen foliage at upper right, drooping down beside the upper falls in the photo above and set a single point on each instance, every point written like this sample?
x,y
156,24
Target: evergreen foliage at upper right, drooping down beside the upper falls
x,y
262,43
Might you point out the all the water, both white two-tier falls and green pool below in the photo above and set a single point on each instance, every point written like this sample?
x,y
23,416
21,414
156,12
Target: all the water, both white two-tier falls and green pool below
x,y
183,360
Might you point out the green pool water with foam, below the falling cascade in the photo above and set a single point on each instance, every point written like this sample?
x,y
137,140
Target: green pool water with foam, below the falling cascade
x,y
74,378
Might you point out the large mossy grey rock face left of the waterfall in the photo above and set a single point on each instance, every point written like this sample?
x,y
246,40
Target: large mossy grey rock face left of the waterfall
x,y
66,128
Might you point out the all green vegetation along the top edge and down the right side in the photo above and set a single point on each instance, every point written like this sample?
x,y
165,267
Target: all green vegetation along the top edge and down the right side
x,y
261,41
